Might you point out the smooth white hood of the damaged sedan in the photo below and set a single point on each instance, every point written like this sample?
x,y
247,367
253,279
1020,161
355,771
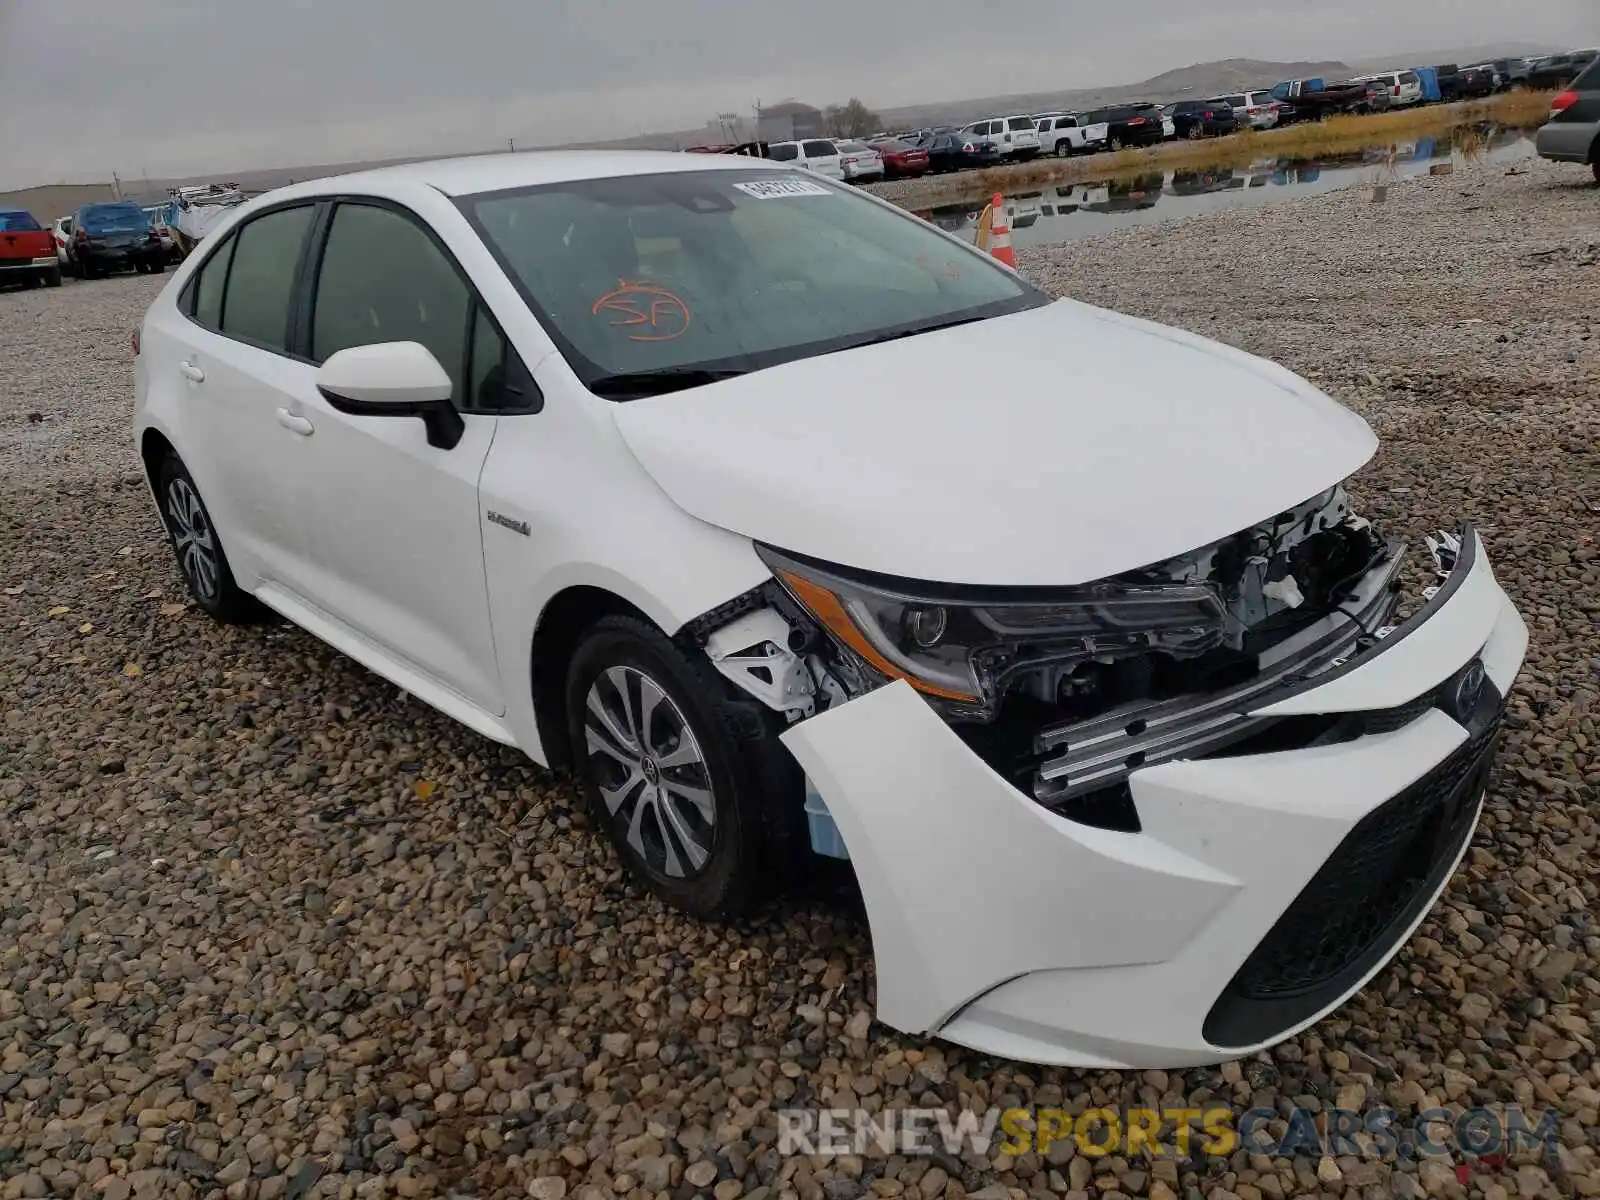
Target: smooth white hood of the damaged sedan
x,y
1058,446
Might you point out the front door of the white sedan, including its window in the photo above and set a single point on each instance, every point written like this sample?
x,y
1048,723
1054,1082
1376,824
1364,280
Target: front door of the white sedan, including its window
x,y
393,522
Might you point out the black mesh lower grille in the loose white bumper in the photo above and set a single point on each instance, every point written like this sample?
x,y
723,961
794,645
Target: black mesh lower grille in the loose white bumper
x,y
1366,895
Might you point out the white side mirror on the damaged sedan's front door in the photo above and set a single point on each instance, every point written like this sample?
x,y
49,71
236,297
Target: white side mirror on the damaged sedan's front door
x,y
393,380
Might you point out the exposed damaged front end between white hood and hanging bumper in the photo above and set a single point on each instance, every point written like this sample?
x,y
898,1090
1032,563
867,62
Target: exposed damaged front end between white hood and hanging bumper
x,y
1068,692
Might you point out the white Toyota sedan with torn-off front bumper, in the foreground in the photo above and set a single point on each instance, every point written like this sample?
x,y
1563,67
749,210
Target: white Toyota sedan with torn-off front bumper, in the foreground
x,y
793,526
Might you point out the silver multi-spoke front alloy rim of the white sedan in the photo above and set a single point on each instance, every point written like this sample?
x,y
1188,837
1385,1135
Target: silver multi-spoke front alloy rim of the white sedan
x,y
650,772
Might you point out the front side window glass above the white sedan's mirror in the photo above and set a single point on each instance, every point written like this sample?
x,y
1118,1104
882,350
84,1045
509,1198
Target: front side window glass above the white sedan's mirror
x,y
385,281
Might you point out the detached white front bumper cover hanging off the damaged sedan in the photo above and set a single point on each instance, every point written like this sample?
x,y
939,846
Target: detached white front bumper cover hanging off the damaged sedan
x,y
1228,922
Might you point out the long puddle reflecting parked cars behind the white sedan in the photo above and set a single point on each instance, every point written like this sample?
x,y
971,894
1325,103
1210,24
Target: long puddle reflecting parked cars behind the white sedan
x,y
1055,215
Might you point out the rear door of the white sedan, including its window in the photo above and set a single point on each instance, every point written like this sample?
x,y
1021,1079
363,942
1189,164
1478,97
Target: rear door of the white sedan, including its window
x,y
236,375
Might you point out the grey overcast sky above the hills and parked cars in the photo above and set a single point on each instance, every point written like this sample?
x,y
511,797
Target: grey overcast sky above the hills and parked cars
x,y
183,87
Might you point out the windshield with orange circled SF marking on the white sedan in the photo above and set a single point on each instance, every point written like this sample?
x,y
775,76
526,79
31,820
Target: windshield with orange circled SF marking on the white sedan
x,y
727,271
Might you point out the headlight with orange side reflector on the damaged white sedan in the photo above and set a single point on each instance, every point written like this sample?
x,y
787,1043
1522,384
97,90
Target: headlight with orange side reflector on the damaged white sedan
x,y
958,644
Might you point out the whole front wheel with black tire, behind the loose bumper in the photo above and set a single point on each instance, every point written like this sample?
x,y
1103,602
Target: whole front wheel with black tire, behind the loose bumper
x,y
686,777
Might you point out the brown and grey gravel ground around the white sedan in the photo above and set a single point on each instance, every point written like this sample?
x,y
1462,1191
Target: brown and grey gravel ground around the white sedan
x,y
270,929
